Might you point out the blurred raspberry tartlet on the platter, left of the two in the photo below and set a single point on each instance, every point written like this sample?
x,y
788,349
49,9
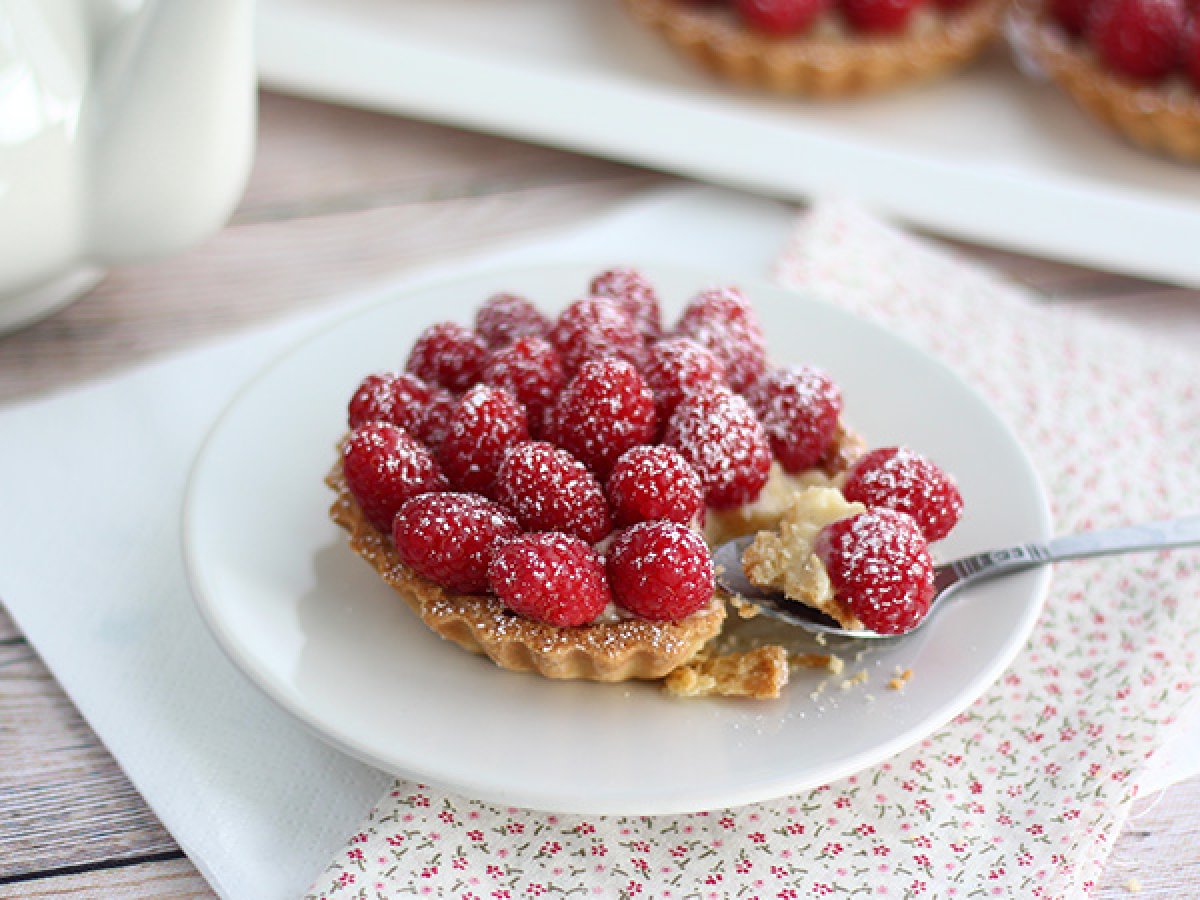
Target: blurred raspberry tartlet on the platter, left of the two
x,y
826,49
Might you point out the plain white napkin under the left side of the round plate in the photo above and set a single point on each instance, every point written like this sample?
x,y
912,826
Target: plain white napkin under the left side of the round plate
x,y
93,572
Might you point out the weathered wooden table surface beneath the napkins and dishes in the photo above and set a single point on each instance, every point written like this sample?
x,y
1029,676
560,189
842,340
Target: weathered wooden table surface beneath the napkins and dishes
x,y
338,200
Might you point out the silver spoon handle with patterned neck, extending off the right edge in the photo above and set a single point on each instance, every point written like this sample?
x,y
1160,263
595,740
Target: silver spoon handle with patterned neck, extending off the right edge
x,y
1131,539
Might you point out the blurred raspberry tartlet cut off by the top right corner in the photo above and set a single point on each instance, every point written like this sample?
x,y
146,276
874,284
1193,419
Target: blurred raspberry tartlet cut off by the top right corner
x,y
1132,65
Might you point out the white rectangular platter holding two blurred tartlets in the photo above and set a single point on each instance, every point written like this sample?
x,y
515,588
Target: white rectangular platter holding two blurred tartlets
x,y
989,157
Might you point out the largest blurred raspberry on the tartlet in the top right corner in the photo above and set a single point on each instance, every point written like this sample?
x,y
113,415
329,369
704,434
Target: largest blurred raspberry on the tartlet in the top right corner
x,y
1138,39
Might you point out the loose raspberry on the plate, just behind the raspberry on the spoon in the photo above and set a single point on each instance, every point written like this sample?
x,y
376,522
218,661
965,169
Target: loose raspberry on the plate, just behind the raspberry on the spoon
x,y
899,479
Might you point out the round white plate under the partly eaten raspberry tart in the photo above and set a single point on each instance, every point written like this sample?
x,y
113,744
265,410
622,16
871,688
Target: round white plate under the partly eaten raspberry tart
x,y
314,627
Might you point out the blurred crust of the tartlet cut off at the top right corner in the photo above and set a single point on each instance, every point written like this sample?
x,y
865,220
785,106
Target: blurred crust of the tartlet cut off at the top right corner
x,y
1163,119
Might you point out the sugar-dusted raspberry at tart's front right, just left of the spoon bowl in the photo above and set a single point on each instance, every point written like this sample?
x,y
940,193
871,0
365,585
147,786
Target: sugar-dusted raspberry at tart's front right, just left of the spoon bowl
x,y
661,572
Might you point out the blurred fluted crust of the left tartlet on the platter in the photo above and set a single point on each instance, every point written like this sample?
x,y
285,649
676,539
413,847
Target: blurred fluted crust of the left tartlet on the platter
x,y
817,65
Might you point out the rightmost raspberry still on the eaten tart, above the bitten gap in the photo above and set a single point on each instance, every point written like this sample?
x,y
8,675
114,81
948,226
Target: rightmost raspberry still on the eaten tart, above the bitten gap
x,y
800,410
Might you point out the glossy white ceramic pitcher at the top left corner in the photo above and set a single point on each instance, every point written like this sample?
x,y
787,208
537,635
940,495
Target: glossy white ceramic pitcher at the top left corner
x,y
127,133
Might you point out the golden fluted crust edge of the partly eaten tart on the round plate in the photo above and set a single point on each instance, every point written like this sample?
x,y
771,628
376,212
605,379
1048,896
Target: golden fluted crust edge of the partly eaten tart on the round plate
x,y
603,652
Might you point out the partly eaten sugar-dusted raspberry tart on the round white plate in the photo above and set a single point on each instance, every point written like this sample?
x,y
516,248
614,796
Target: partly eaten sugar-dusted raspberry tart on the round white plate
x,y
547,491
